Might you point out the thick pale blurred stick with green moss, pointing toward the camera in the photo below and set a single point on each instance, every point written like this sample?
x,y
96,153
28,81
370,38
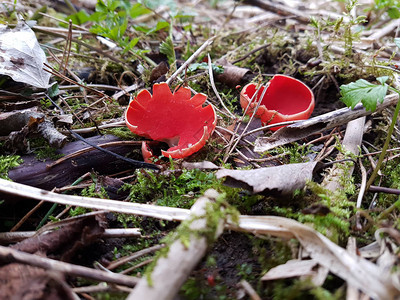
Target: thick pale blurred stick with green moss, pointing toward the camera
x,y
172,271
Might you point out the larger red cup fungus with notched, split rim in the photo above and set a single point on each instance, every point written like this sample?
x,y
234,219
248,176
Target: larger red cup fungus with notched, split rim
x,y
175,118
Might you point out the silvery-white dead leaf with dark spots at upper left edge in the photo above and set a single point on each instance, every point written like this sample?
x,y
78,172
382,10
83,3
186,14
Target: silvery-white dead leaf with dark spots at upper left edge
x,y
21,56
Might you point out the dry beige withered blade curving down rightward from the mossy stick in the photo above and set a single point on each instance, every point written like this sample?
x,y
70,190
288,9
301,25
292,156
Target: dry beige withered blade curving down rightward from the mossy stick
x,y
356,271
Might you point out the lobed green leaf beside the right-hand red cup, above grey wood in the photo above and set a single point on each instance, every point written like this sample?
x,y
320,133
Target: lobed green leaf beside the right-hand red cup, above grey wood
x,y
365,92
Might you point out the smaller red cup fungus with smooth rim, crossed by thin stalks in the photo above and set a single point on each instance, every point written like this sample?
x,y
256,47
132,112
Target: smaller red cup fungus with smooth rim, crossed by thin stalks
x,y
286,99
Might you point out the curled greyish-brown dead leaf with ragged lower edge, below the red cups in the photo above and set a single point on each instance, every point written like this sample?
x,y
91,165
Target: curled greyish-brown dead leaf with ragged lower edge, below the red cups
x,y
276,181
